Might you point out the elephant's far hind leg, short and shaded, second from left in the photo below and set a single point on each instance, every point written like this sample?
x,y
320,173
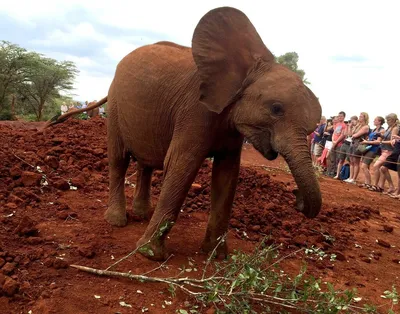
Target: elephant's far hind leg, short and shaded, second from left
x,y
141,201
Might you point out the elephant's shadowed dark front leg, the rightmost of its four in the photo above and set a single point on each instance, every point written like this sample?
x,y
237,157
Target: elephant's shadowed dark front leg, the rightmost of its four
x,y
225,175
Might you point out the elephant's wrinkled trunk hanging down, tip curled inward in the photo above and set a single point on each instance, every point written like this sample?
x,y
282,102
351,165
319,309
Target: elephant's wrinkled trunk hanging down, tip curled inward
x,y
308,195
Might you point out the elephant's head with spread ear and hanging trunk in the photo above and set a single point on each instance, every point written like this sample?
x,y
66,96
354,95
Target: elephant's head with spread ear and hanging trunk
x,y
266,102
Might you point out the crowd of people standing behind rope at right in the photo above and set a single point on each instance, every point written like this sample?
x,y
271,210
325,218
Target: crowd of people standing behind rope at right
x,y
342,148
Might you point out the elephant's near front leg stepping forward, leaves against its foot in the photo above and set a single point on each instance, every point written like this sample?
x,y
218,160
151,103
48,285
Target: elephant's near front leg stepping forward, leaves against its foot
x,y
180,169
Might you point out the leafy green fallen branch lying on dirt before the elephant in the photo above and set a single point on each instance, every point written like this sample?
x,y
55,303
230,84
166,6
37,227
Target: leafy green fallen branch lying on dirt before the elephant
x,y
247,280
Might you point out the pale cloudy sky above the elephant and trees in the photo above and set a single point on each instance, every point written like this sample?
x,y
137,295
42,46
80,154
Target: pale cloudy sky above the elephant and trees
x,y
348,49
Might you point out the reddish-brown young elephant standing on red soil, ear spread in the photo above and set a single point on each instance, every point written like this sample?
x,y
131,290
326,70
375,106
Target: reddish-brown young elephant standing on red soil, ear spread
x,y
170,107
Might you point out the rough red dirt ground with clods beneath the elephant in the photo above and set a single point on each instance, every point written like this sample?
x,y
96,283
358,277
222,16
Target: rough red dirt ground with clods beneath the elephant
x,y
44,228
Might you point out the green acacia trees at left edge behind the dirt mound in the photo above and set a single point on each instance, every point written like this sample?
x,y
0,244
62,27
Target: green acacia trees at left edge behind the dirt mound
x,y
35,80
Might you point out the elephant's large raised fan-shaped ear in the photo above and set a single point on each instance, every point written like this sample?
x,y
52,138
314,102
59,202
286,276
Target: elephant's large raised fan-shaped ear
x,y
225,46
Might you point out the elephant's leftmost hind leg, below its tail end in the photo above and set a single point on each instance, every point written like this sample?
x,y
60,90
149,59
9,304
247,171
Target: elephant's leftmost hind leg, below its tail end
x,y
118,164
